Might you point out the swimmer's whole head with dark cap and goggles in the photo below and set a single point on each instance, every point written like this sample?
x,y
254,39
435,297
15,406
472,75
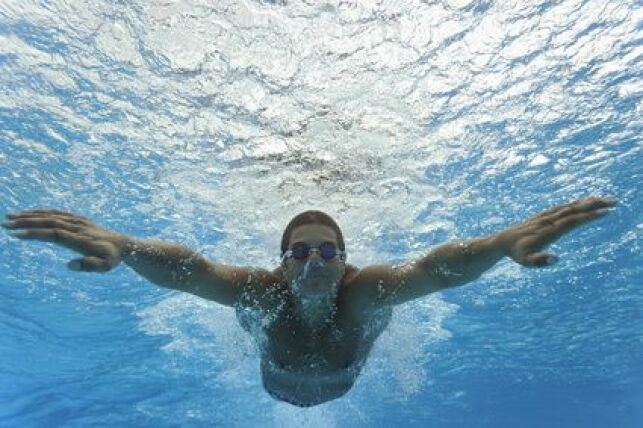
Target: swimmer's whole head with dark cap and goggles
x,y
309,272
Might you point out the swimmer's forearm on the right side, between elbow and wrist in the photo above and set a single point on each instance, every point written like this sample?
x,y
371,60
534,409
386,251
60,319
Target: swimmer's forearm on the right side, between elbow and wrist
x,y
458,263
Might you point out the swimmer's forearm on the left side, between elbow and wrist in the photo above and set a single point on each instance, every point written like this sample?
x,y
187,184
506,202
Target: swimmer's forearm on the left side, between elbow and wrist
x,y
164,264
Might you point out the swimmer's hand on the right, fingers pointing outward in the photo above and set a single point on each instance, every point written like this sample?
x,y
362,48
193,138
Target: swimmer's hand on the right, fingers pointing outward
x,y
524,243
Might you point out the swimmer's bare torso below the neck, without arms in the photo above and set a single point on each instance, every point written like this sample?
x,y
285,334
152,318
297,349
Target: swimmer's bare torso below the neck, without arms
x,y
305,367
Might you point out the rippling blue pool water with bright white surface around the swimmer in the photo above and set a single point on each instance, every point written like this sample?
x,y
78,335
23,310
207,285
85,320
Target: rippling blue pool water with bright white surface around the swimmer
x,y
211,124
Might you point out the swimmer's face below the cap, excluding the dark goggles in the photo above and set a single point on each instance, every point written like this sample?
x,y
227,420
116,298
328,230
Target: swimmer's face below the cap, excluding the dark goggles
x,y
314,275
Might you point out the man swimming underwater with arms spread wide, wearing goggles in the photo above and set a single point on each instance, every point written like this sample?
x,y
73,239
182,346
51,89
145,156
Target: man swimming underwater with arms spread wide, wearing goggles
x,y
315,317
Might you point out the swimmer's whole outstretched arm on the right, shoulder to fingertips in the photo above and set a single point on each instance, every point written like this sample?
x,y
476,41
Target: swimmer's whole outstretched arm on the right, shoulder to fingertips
x,y
458,263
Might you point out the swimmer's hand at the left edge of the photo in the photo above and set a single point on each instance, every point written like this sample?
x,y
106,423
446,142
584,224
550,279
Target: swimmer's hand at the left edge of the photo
x,y
102,248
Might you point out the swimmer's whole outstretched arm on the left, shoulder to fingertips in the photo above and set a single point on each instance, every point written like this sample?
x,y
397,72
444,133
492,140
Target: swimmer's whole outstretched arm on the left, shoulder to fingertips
x,y
167,265
